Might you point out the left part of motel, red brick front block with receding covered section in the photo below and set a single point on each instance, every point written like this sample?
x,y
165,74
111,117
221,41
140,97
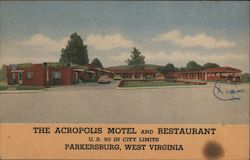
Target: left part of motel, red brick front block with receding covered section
x,y
51,73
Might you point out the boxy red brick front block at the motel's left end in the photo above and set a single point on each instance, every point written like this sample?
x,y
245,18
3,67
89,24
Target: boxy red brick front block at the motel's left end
x,y
39,74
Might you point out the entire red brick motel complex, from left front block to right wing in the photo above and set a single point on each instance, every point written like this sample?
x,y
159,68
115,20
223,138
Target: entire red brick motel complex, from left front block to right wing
x,y
50,73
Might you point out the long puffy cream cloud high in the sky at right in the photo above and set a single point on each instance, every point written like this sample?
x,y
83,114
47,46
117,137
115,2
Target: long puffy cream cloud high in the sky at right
x,y
197,40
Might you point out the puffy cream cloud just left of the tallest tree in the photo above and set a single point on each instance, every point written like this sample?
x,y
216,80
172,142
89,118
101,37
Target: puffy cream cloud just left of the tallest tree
x,y
46,43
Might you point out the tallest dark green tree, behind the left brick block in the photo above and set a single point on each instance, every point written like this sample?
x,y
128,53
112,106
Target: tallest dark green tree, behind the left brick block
x,y
75,51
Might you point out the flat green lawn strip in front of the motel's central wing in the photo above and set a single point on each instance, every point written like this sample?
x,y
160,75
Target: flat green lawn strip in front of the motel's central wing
x,y
152,83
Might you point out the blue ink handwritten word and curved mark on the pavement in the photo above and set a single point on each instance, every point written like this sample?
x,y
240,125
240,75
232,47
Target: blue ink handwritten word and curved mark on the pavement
x,y
224,94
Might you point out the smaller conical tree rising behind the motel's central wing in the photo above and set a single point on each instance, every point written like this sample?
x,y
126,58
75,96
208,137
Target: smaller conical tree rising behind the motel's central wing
x,y
135,58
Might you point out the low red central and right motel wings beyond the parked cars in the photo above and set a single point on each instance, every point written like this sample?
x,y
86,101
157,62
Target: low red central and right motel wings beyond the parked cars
x,y
210,74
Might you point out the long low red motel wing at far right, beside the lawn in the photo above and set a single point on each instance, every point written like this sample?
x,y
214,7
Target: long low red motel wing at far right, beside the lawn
x,y
210,74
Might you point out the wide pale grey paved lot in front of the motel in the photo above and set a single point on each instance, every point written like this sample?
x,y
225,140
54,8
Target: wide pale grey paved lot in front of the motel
x,y
105,104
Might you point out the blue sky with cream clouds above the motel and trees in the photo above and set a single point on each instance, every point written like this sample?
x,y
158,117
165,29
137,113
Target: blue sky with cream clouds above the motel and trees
x,y
164,32
